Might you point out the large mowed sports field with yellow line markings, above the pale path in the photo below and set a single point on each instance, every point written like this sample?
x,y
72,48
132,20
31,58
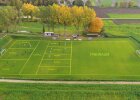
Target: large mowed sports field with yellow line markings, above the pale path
x,y
101,59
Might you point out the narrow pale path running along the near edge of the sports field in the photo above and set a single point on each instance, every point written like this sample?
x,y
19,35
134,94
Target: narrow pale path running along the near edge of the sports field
x,y
69,82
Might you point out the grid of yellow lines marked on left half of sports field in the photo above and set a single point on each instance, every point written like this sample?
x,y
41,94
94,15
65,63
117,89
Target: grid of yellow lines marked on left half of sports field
x,y
20,72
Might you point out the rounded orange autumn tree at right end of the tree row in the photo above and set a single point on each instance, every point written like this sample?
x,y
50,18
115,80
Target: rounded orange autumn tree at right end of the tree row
x,y
96,25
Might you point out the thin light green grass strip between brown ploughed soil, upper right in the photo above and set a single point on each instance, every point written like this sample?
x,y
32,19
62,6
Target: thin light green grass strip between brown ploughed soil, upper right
x,y
135,16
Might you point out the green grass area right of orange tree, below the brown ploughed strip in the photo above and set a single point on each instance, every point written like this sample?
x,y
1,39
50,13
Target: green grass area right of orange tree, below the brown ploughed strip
x,y
123,29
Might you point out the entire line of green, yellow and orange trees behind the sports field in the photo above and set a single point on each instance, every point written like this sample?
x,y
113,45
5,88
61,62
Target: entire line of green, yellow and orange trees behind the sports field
x,y
51,16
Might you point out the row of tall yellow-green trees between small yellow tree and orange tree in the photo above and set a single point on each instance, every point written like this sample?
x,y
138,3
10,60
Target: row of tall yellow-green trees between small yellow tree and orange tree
x,y
64,15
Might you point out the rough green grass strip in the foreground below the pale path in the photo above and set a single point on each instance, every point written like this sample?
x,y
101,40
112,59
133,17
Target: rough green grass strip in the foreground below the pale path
x,y
13,91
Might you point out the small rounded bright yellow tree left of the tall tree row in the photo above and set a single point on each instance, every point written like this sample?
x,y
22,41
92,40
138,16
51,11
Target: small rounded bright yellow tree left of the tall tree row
x,y
29,10
